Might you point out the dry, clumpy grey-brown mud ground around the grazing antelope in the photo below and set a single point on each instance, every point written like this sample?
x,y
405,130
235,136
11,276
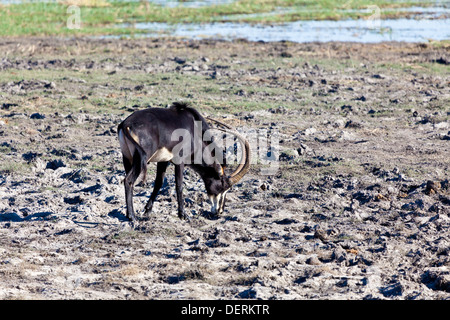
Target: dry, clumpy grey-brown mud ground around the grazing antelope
x,y
359,208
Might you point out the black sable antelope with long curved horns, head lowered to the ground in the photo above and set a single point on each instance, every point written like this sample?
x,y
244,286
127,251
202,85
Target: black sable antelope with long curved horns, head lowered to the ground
x,y
147,136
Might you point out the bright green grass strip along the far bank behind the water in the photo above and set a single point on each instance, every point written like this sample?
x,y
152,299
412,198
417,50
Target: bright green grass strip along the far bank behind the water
x,y
118,18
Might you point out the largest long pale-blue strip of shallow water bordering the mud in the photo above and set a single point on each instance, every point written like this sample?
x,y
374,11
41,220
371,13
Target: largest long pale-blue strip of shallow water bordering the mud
x,y
368,31
